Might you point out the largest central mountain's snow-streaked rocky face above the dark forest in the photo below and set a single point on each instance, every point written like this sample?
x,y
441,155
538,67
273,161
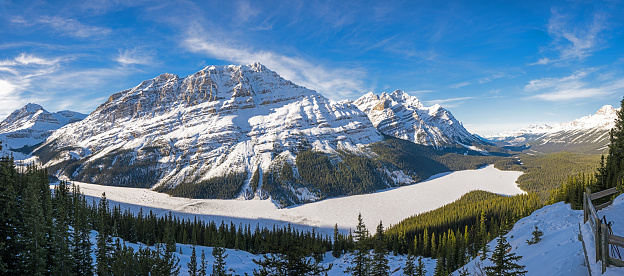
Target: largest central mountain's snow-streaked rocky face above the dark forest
x,y
221,122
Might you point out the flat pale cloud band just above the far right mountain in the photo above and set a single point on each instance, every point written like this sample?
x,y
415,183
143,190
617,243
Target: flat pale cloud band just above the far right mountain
x,y
573,87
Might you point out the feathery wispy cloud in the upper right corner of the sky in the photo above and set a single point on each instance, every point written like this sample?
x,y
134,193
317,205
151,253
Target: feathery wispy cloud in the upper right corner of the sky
x,y
574,41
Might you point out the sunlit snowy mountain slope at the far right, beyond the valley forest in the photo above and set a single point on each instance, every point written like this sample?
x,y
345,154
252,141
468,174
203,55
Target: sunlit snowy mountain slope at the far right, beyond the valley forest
x,y
589,134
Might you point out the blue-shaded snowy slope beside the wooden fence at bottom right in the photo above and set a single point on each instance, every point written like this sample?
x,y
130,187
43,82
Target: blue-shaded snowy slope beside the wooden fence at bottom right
x,y
560,252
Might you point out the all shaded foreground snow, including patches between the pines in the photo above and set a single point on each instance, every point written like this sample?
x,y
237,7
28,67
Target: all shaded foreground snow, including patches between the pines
x,y
559,253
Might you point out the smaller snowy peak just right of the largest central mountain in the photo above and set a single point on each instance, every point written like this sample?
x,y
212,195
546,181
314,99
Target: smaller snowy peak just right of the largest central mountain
x,y
403,116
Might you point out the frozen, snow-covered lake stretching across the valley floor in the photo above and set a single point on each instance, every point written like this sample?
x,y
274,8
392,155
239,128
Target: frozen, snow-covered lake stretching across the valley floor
x,y
390,206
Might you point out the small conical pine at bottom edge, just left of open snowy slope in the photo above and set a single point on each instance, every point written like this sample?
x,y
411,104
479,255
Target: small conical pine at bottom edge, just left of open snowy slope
x,y
504,262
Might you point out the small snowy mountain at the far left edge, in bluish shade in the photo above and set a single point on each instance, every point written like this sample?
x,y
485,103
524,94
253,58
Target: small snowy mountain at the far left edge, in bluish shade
x,y
31,125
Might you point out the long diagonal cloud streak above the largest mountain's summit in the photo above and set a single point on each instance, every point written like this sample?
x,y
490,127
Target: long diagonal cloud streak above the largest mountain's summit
x,y
335,83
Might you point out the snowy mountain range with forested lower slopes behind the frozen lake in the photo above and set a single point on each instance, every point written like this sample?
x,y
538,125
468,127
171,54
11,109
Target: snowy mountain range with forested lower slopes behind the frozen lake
x,y
245,132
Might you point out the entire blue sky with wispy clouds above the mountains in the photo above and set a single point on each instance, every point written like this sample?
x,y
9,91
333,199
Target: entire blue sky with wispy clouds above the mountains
x,y
495,65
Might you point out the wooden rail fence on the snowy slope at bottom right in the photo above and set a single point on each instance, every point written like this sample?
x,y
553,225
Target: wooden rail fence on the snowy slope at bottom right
x,y
602,237
